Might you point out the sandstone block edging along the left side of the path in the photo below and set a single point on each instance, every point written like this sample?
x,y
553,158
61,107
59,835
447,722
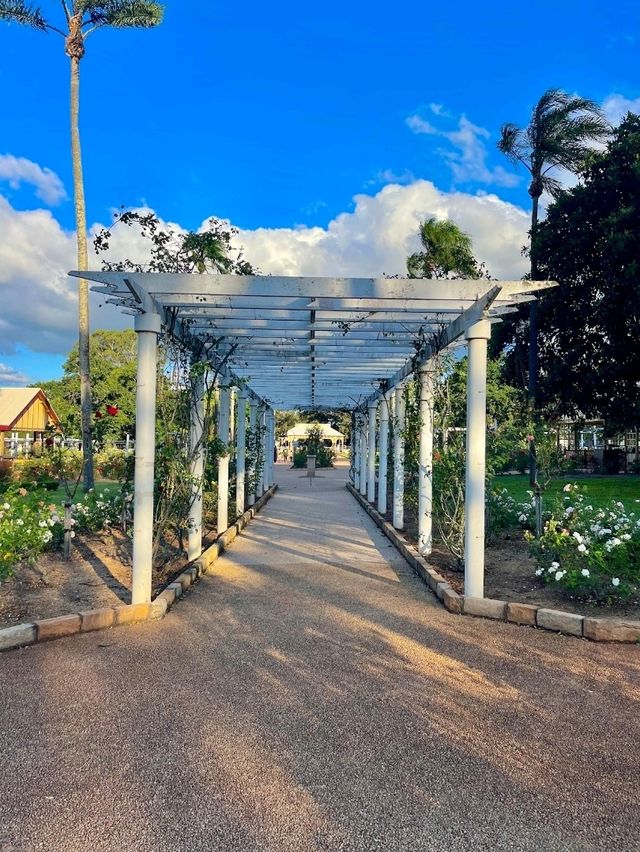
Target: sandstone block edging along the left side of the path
x,y
100,619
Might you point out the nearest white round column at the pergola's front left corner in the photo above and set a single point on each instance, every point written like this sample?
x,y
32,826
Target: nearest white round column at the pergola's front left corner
x,y
148,327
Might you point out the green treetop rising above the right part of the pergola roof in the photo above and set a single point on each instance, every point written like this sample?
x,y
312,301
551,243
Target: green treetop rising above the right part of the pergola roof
x,y
447,252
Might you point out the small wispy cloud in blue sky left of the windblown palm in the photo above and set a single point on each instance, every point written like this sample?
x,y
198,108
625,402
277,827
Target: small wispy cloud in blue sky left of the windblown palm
x,y
467,156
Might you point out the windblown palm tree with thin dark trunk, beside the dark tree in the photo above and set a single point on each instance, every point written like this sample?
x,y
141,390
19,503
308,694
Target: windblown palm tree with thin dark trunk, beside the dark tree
x,y
560,135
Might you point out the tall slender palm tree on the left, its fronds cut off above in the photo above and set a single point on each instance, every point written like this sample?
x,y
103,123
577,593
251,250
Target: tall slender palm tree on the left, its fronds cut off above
x,y
82,18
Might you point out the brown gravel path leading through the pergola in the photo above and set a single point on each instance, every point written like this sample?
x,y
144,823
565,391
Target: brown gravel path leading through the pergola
x,y
314,697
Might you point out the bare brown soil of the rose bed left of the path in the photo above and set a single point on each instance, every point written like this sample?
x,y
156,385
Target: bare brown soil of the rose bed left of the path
x,y
97,575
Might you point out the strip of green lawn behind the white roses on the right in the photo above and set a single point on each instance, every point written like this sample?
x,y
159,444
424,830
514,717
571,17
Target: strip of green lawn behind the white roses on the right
x,y
601,490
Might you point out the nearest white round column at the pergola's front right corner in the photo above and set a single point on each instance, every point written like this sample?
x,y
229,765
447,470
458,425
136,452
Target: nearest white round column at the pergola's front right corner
x,y
478,336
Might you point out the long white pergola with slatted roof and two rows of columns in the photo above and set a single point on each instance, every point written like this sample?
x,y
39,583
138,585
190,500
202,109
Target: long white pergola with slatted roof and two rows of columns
x,y
288,342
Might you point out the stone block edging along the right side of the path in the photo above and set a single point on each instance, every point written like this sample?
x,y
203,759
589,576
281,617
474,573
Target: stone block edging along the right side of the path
x,y
558,621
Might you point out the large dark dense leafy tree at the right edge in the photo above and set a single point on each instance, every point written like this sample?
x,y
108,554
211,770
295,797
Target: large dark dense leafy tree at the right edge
x,y
590,324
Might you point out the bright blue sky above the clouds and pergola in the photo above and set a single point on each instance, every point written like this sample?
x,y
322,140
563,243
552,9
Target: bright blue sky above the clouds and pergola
x,y
277,117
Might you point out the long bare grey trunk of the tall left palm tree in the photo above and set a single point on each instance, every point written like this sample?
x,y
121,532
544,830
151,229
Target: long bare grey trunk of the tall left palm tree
x,y
83,286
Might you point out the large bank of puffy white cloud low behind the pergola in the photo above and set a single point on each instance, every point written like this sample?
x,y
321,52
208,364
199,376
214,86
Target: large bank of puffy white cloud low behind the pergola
x,y
39,300
